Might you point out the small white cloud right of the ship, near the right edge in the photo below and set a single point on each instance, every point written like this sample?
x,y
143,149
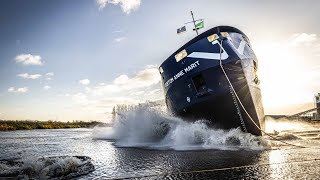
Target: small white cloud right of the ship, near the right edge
x,y
303,39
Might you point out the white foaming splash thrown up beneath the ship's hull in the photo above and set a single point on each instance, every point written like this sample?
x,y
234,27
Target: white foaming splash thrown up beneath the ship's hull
x,y
148,128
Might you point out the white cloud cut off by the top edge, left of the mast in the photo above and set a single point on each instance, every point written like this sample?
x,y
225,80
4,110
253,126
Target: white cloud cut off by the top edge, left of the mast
x,y
127,6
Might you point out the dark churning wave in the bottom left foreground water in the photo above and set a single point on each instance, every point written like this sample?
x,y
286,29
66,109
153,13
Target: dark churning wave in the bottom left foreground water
x,y
60,167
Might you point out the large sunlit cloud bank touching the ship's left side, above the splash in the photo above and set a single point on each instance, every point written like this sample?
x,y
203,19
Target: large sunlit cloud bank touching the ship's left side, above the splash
x,y
140,87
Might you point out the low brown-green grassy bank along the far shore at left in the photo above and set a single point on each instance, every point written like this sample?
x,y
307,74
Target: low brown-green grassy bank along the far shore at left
x,y
10,125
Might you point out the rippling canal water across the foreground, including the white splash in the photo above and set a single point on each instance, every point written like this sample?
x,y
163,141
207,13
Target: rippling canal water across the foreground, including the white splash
x,y
151,145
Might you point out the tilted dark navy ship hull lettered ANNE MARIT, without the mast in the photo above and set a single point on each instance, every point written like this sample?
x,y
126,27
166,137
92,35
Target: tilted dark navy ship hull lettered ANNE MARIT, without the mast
x,y
214,77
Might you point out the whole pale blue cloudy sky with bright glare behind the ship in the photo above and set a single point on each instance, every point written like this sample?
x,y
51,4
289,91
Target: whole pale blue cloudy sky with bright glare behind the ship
x,y
75,60
